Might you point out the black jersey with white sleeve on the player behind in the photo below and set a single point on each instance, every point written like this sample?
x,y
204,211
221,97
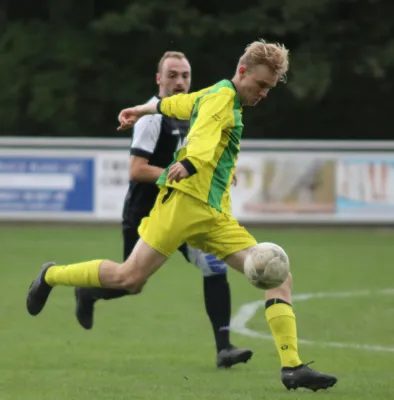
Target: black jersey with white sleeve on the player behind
x,y
156,138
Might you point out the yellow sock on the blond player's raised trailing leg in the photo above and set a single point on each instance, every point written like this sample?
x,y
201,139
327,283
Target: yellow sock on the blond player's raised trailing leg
x,y
82,274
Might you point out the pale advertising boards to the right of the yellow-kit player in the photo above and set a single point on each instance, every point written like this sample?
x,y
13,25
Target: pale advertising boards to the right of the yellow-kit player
x,y
314,187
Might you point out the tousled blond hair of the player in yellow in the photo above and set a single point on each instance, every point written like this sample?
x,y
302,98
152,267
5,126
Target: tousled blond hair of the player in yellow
x,y
274,55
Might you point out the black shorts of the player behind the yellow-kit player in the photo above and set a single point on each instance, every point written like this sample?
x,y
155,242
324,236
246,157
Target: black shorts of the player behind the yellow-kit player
x,y
130,233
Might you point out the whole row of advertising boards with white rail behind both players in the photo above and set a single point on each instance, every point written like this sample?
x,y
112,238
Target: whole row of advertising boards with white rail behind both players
x,y
278,182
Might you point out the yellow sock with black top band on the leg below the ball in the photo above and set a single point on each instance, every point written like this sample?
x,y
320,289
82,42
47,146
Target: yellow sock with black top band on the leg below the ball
x,y
281,319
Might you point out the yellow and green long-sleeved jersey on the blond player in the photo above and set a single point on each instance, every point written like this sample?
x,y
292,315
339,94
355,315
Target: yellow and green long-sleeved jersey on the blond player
x,y
213,141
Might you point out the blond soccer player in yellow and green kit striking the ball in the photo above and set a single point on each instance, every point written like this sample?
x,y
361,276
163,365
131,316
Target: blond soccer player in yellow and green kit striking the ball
x,y
194,204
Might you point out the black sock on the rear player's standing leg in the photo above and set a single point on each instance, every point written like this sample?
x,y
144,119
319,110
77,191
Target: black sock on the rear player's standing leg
x,y
218,306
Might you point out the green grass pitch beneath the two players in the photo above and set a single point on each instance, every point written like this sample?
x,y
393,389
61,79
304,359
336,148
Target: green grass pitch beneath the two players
x,y
159,345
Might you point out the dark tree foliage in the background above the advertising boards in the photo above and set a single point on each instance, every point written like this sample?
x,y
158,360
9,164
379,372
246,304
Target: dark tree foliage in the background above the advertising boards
x,y
68,67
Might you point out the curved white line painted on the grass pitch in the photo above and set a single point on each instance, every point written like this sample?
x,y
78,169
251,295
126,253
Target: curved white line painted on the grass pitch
x,y
247,312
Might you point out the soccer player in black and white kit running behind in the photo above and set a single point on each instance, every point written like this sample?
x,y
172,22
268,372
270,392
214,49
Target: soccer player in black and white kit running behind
x,y
155,139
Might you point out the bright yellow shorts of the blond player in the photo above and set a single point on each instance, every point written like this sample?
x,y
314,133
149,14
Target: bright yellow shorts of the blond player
x,y
177,218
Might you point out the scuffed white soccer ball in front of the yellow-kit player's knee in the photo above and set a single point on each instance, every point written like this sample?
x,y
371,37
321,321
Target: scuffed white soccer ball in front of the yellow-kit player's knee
x,y
266,265
